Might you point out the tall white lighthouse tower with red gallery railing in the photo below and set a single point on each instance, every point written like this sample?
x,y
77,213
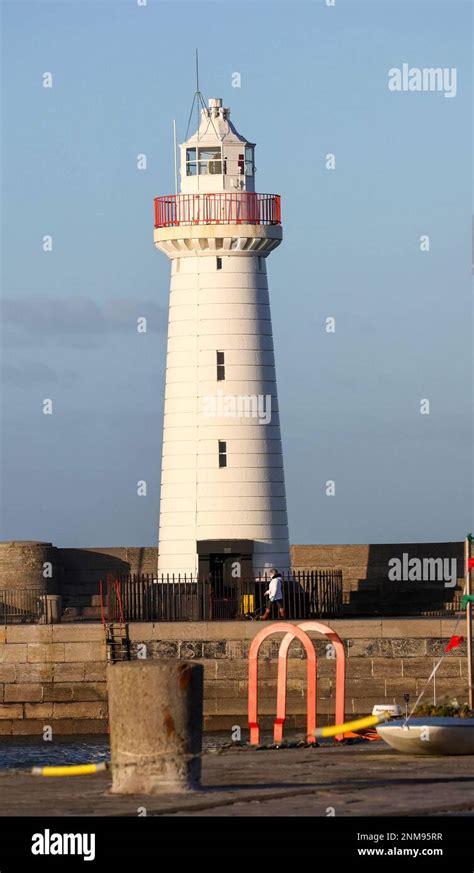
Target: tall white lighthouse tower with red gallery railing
x,y
222,500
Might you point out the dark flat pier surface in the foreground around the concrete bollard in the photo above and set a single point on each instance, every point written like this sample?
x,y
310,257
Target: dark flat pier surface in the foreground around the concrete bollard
x,y
366,779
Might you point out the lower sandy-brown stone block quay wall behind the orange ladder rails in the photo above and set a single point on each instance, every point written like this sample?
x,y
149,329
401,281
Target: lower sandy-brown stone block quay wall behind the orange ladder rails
x,y
55,675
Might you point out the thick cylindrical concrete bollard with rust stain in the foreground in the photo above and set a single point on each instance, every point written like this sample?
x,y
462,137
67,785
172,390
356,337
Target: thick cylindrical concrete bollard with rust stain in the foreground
x,y
155,717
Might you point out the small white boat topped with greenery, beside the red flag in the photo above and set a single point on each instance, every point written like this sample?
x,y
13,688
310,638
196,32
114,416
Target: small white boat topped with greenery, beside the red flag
x,y
431,735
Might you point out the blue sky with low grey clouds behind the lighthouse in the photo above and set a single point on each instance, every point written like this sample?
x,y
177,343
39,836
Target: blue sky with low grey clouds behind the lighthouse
x,y
313,81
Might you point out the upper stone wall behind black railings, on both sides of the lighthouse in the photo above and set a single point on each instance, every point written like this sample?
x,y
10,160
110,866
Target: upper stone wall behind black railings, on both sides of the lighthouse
x,y
76,573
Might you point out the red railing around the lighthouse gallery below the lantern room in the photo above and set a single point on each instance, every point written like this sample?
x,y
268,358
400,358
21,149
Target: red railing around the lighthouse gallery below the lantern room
x,y
247,207
